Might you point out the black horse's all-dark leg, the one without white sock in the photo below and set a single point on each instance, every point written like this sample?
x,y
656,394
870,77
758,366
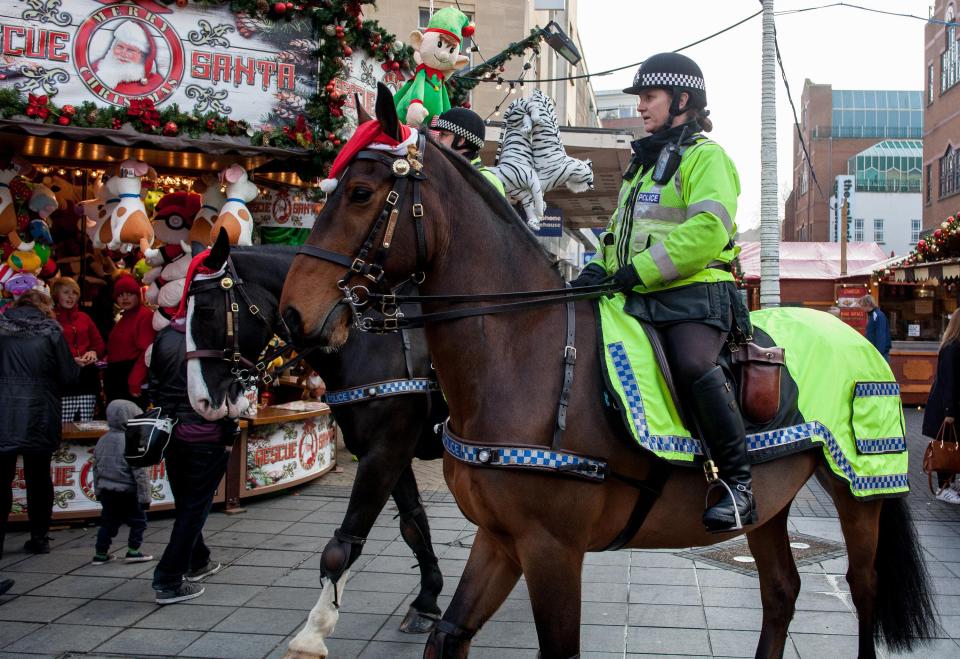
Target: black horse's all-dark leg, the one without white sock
x,y
415,529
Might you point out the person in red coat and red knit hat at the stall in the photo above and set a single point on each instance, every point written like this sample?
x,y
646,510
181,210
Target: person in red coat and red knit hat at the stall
x,y
128,341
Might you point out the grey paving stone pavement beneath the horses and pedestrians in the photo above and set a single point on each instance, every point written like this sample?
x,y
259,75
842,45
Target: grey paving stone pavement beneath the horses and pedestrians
x,y
636,603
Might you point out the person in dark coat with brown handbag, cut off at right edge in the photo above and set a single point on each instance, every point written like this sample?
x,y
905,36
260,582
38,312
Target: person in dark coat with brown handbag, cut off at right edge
x,y
942,404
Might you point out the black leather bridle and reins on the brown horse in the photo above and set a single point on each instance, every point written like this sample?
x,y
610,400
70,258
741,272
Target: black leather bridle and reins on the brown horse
x,y
369,261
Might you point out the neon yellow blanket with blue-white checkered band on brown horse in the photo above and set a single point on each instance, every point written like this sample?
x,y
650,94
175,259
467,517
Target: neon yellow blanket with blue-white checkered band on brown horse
x,y
837,392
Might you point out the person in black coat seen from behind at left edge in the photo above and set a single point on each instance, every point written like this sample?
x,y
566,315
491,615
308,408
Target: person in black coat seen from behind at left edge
x,y
35,367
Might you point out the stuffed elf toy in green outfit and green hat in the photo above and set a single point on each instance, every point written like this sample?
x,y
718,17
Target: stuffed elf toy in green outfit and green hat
x,y
437,53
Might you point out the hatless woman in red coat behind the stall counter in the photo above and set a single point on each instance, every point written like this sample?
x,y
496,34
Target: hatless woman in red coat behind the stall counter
x,y
86,345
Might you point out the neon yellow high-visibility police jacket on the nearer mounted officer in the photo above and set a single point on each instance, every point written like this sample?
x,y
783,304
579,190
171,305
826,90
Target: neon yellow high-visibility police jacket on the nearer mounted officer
x,y
672,232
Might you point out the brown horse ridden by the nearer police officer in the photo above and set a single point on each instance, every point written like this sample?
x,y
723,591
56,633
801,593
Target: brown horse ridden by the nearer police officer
x,y
501,375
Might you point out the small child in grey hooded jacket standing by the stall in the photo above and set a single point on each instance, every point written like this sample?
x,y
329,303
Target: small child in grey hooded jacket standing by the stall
x,y
123,492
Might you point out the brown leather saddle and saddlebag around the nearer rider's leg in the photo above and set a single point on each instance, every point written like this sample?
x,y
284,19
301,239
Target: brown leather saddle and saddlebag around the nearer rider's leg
x,y
755,370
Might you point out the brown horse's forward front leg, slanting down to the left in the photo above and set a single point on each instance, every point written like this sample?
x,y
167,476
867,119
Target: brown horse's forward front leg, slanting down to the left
x,y
489,576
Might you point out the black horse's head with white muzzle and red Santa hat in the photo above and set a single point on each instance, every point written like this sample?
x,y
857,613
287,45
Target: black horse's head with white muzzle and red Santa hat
x,y
215,332
